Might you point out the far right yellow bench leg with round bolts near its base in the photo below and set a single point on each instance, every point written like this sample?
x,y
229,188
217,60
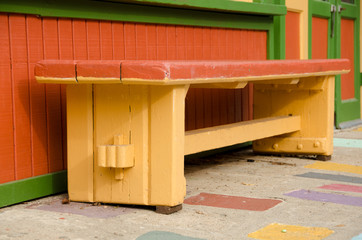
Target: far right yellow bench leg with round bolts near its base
x,y
316,109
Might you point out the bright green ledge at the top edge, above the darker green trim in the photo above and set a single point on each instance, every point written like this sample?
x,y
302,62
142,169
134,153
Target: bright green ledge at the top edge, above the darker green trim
x,y
267,8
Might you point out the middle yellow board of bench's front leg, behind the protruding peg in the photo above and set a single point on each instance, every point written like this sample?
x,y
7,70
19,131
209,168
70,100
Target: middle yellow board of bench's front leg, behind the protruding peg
x,y
122,110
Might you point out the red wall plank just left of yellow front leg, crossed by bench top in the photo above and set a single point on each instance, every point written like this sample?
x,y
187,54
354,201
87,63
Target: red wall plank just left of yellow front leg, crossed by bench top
x,y
53,99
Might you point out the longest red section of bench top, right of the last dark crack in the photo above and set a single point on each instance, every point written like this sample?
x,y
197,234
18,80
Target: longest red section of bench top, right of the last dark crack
x,y
173,70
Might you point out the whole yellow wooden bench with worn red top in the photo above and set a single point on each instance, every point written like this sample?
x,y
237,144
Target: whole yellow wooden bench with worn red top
x,y
125,119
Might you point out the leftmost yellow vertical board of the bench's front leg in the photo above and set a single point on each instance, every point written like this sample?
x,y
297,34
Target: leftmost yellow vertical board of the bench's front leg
x,y
80,142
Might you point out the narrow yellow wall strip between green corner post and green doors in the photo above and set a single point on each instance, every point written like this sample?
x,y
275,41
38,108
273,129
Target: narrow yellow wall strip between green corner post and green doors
x,y
302,8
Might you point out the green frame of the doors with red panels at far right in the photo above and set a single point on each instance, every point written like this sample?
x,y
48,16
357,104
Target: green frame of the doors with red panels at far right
x,y
345,110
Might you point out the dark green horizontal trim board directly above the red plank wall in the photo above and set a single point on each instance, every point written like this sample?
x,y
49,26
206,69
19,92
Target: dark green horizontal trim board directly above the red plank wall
x,y
86,9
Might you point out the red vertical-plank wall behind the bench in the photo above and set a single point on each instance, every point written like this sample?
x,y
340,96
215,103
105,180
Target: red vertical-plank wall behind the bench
x,y
32,119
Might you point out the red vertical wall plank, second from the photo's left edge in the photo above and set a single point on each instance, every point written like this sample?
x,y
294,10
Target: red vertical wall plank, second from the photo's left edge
x,y
18,49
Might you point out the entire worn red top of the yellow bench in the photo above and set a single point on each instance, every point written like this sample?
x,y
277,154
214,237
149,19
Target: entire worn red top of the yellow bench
x,y
167,71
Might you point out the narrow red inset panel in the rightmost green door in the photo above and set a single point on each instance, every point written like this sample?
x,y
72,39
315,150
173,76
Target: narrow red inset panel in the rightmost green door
x,y
347,51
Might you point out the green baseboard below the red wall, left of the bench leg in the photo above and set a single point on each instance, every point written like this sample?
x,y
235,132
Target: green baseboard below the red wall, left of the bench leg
x,y
32,188
